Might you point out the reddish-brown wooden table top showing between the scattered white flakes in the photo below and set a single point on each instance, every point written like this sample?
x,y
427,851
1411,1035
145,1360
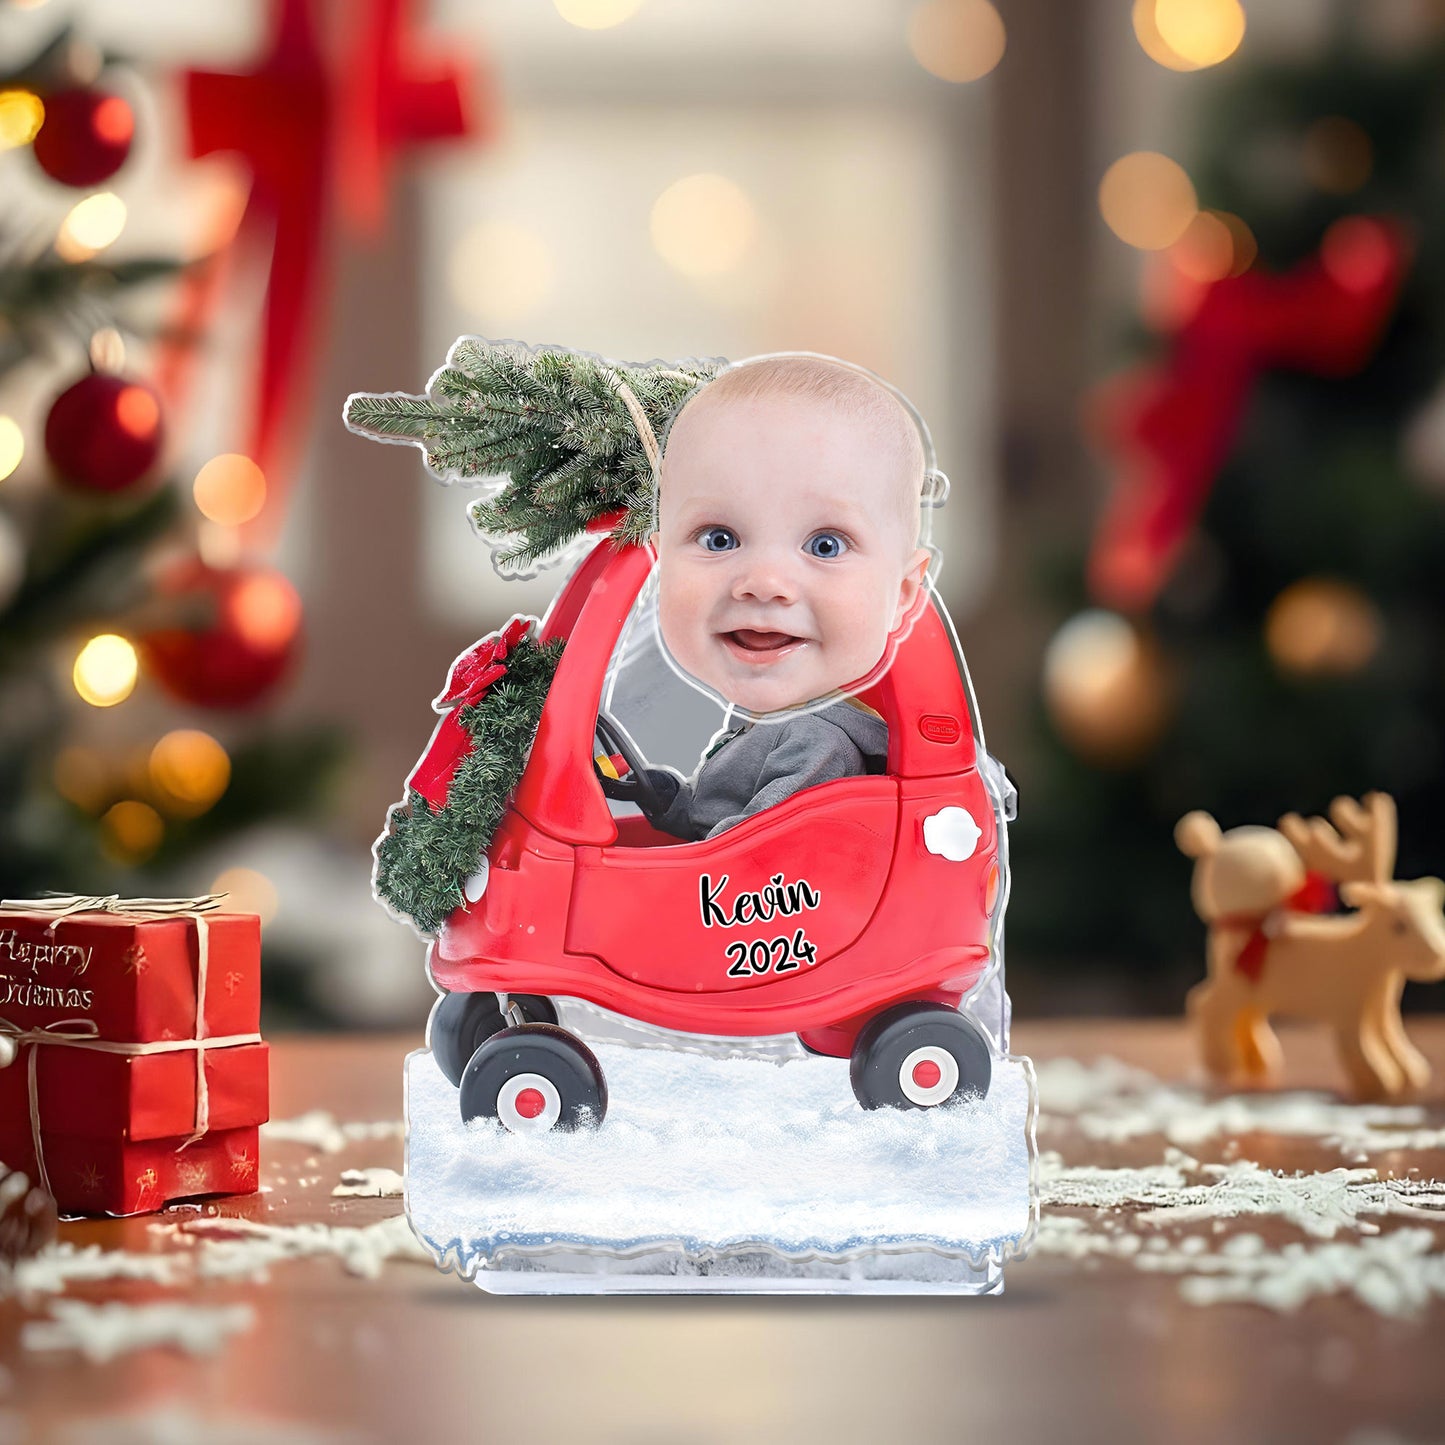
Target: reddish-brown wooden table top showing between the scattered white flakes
x,y
1071,1352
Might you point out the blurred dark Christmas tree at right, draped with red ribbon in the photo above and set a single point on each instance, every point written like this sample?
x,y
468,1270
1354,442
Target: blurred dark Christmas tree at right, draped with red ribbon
x,y
1261,624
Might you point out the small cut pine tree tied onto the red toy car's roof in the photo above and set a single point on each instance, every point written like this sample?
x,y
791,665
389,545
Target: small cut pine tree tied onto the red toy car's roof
x,y
553,427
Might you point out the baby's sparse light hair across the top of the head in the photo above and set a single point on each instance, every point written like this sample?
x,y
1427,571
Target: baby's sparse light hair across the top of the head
x,y
852,391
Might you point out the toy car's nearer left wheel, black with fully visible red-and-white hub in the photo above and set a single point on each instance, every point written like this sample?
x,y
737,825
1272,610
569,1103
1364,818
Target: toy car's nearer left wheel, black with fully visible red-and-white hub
x,y
534,1080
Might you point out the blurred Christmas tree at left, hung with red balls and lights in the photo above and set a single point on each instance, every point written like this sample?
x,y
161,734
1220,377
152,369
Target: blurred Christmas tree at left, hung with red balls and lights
x,y
105,590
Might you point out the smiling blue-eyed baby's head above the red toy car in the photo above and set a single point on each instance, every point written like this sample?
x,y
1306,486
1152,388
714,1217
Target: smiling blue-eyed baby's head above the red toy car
x,y
788,531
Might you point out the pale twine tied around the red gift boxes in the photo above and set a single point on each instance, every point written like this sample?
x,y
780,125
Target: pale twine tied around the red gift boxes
x,y
83,1034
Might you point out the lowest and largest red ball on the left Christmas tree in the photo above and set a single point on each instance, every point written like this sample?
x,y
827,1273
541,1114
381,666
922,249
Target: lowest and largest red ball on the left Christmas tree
x,y
241,635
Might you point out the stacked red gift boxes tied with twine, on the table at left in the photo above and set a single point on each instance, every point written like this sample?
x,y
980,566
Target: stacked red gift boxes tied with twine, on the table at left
x,y
138,1073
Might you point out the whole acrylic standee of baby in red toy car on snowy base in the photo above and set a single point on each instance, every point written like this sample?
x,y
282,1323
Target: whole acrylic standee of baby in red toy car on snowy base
x,y
712,859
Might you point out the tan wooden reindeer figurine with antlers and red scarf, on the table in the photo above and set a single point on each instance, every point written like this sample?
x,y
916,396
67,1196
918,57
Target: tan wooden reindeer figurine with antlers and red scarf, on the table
x,y
1271,954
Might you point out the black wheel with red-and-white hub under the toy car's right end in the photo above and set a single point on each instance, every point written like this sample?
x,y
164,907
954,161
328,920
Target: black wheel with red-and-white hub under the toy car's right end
x,y
920,1056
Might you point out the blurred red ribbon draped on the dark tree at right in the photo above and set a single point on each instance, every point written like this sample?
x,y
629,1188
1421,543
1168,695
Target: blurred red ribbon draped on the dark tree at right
x,y
1170,427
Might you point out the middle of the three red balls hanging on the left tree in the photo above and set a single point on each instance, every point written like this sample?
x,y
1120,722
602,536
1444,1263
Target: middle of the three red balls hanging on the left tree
x,y
105,433
